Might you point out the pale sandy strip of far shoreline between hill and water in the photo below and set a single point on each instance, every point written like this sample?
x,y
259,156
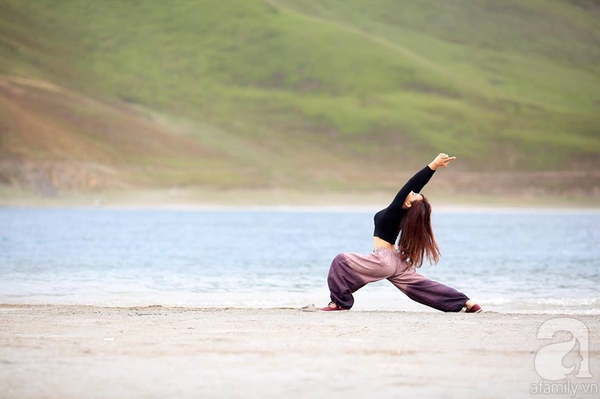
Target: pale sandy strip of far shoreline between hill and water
x,y
285,200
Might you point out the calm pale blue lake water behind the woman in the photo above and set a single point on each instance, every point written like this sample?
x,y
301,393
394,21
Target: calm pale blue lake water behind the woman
x,y
507,261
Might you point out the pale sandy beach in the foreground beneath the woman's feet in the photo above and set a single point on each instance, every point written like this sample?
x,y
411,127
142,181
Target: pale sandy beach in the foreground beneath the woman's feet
x,y
64,351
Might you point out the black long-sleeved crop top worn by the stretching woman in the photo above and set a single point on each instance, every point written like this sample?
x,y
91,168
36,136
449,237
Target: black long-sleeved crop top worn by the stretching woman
x,y
387,221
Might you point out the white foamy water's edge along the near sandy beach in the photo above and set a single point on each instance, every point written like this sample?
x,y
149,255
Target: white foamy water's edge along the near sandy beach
x,y
365,300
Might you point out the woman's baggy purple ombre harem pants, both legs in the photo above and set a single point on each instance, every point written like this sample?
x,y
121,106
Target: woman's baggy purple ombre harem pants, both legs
x,y
350,272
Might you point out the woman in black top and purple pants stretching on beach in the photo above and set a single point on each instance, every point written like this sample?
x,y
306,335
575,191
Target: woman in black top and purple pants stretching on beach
x,y
409,215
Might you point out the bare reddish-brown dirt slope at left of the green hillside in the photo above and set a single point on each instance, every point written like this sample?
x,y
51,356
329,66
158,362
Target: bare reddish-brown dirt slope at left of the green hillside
x,y
54,139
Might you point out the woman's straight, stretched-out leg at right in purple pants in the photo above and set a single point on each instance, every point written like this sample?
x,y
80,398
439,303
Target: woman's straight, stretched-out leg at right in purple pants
x,y
428,292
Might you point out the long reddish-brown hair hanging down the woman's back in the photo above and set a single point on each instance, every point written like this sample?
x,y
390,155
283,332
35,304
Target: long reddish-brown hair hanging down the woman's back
x,y
417,240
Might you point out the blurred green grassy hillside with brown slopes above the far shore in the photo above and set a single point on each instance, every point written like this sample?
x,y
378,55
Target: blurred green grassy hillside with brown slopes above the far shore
x,y
294,93
